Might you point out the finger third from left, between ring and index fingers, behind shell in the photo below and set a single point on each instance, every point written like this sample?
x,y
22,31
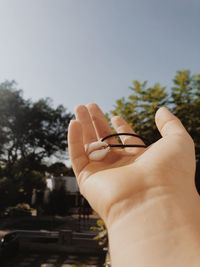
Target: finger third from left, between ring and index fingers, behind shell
x,y
100,123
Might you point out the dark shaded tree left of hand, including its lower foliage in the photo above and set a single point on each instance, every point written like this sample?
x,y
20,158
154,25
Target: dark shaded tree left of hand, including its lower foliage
x,y
31,133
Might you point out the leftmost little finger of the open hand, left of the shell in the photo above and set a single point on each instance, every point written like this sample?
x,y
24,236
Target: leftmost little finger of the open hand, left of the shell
x,y
77,153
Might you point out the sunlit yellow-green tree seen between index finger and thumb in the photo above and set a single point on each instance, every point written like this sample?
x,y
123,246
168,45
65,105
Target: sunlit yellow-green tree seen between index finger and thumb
x,y
140,107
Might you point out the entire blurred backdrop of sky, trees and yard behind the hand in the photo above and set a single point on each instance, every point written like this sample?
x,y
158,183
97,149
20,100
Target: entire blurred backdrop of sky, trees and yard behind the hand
x,y
130,57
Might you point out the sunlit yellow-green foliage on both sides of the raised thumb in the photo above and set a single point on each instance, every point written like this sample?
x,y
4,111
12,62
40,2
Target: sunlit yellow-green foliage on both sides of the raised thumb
x,y
183,99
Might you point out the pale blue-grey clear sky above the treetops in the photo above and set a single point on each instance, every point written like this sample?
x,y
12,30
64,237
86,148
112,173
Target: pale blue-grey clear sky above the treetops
x,y
83,51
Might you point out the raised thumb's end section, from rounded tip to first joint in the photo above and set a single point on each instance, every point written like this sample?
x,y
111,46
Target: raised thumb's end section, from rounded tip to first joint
x,y
168,124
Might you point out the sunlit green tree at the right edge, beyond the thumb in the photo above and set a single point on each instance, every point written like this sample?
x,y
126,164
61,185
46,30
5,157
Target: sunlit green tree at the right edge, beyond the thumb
x,y
185,103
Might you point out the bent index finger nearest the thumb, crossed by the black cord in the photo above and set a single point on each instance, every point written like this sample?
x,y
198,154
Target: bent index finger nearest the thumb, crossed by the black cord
x,y
121,126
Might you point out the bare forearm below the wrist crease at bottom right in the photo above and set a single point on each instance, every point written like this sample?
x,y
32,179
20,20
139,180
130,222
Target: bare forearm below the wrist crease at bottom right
x,y
163,231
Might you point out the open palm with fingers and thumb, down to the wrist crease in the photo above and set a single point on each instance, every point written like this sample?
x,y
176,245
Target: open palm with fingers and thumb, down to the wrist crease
x,y
124,180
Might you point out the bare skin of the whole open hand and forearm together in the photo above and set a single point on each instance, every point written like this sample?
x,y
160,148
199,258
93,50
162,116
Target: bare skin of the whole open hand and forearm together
x,y
147,198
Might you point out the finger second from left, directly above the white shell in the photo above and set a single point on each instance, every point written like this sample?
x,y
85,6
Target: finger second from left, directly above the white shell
x,y
89,134
